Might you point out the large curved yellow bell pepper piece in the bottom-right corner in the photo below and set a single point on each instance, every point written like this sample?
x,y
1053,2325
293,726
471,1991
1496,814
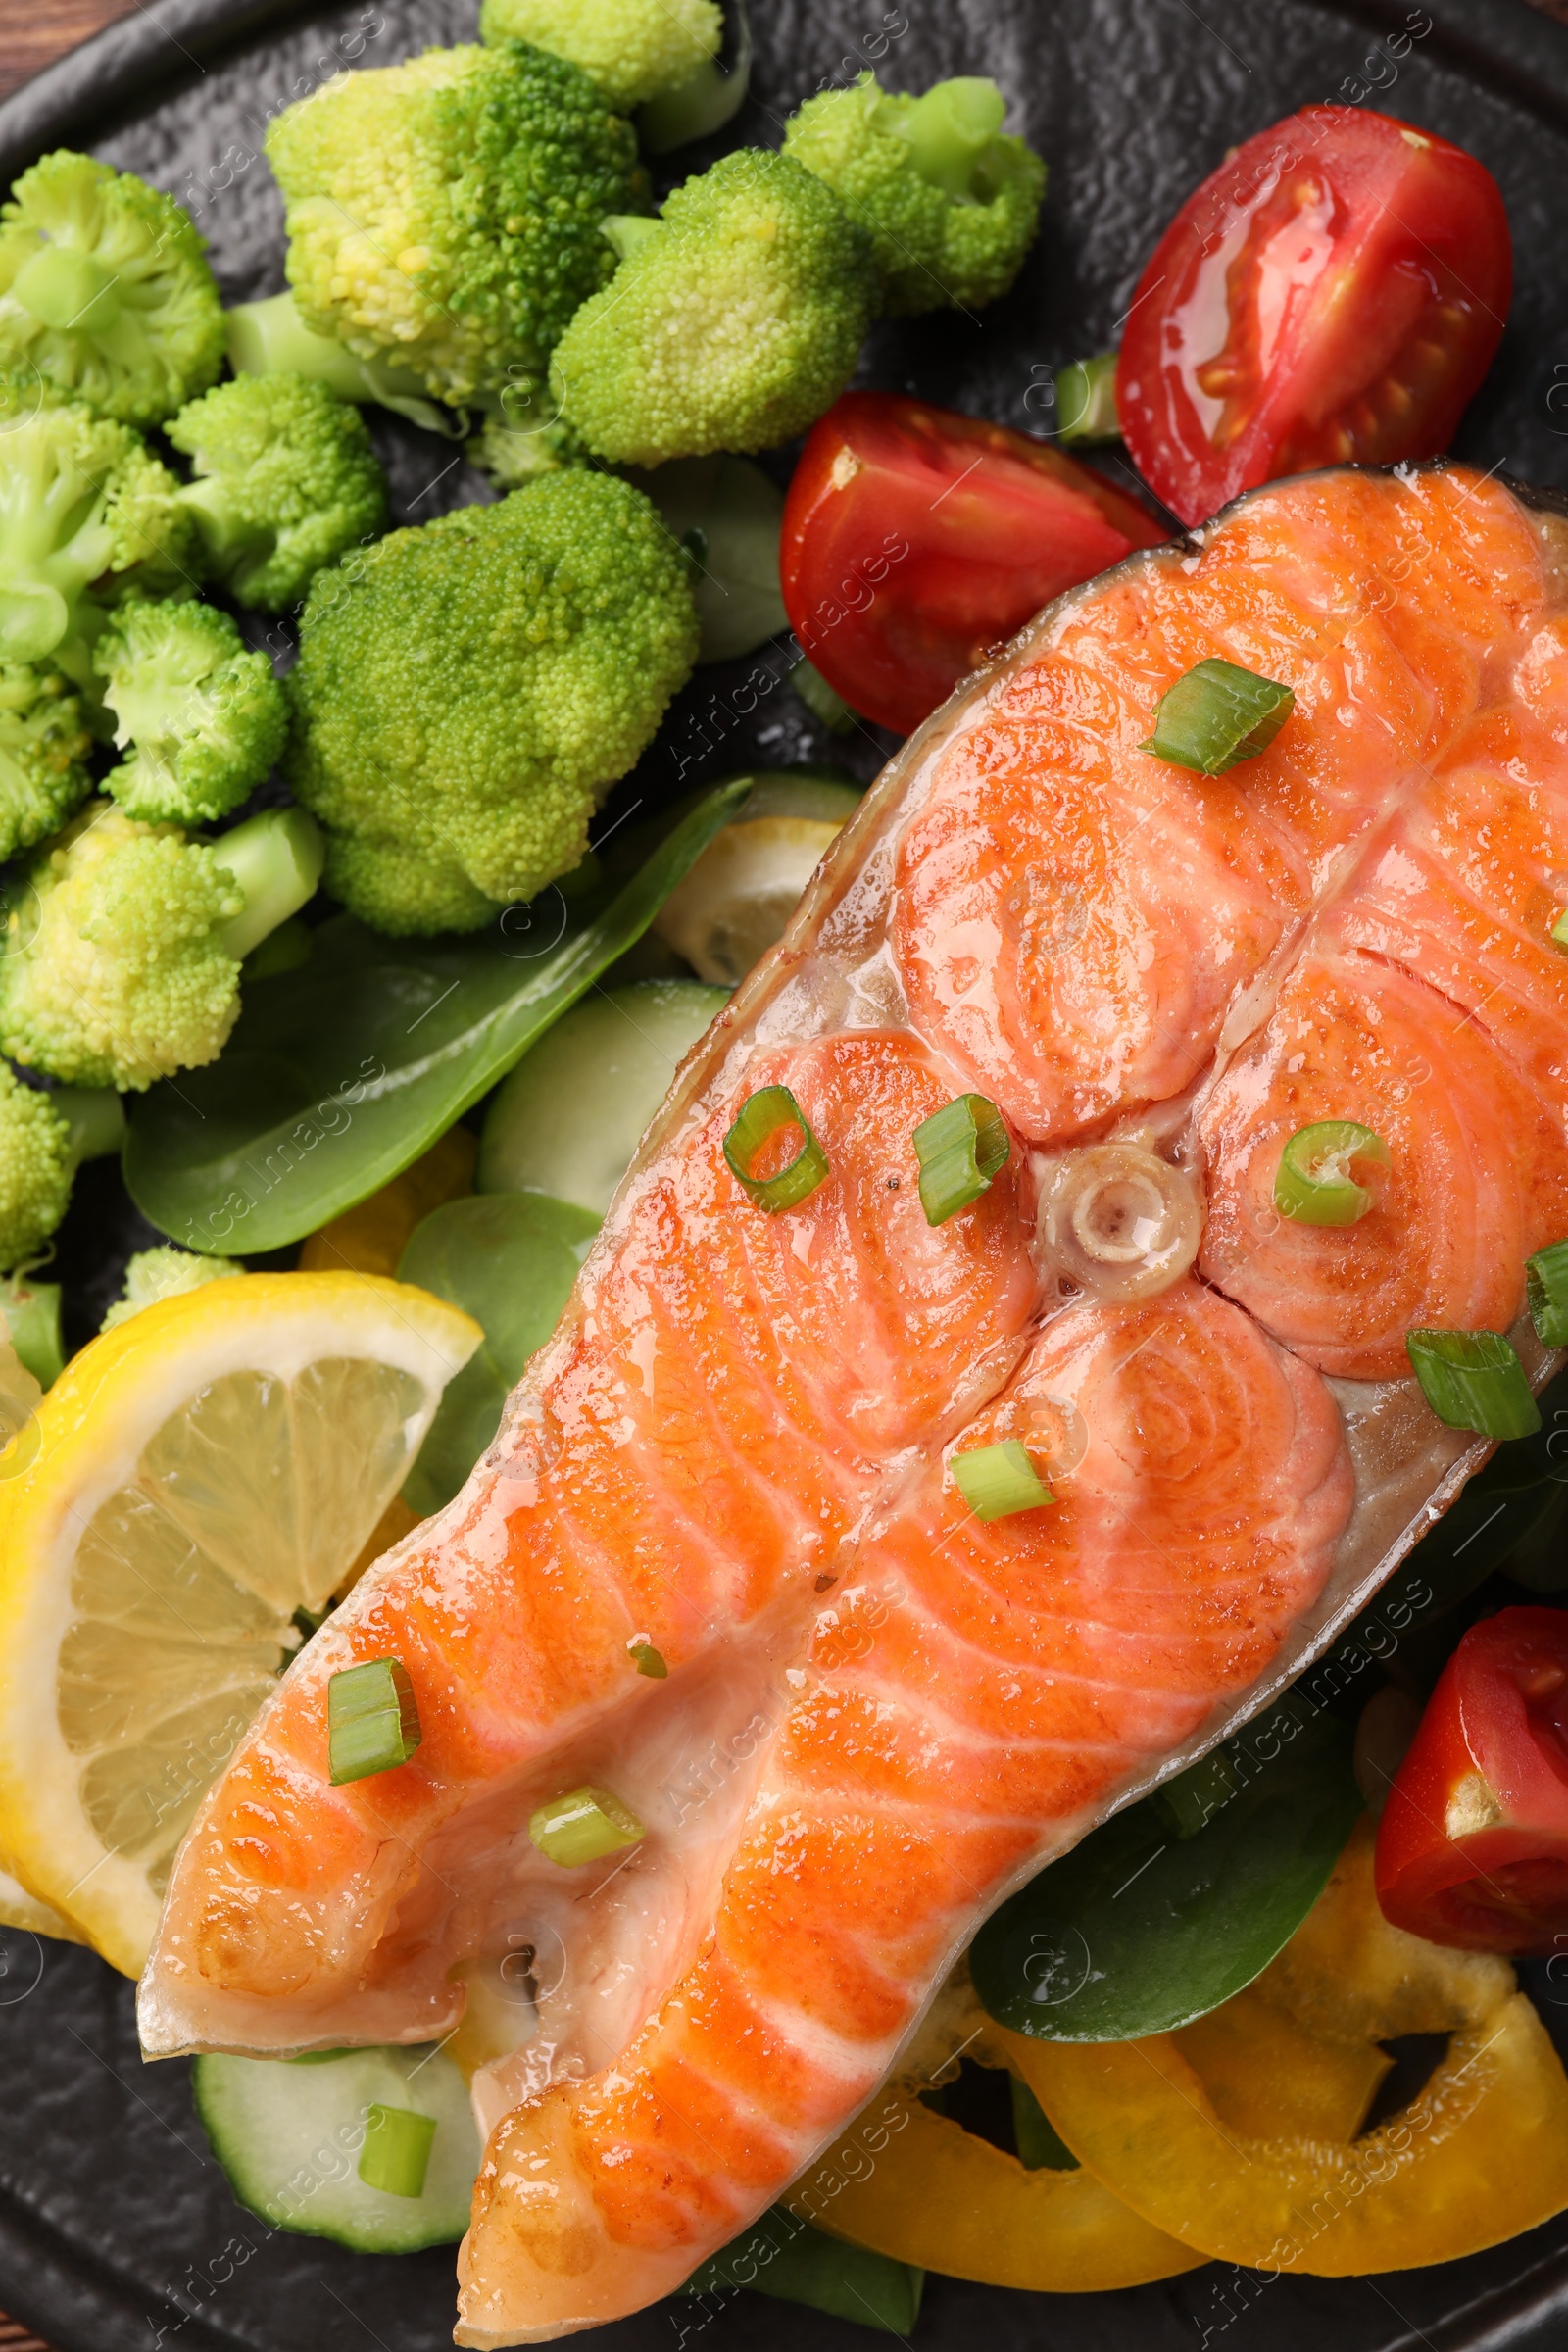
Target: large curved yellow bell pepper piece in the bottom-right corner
x,y
1221,2134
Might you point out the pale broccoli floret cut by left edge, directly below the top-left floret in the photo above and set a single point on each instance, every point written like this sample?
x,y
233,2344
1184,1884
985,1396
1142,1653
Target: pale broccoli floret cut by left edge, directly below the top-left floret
x,y
83,507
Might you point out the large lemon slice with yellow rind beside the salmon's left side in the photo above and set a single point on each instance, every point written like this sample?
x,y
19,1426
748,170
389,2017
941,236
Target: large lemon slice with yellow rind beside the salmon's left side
x,y
194,1478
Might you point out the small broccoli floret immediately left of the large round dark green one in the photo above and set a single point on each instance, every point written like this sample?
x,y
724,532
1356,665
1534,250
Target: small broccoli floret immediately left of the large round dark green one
x,y
206,716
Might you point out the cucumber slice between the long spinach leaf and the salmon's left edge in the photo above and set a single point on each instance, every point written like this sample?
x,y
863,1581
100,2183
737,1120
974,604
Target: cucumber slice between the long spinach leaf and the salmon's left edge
x,y
572,1114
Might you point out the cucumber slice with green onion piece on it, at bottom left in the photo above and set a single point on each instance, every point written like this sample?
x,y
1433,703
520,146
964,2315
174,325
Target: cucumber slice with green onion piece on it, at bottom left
x,y
290,2134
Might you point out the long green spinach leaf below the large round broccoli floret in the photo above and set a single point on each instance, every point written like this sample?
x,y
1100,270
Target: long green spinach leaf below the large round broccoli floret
x,y
351,1067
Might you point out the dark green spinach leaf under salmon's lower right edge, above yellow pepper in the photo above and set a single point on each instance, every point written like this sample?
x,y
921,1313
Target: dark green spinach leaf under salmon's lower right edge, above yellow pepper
x,y
1174,1906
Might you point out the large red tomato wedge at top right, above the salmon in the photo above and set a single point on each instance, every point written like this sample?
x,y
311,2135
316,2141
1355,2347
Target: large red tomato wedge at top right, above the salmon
x,y
1329,298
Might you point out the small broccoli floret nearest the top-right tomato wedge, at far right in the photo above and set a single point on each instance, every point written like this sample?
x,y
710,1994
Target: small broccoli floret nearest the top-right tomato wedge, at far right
x,y
951,201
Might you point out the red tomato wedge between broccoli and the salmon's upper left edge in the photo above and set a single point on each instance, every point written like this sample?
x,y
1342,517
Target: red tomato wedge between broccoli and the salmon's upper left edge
x,y
916,542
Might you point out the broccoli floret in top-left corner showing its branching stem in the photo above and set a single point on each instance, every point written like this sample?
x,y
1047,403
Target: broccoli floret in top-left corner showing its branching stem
x,y
105,290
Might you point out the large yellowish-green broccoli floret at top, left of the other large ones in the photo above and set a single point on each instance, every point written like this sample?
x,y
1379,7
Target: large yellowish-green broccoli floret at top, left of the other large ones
x,y
445,215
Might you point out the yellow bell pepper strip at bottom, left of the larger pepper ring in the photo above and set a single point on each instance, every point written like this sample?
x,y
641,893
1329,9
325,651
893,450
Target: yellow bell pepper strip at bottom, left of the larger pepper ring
x,y
918,2186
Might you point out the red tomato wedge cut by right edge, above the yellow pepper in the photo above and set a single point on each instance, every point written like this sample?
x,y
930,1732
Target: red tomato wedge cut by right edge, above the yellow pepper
x,y
1473,1845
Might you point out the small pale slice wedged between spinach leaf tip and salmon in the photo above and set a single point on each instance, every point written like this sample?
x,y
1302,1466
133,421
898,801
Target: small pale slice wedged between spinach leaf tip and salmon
x,y
746,886
